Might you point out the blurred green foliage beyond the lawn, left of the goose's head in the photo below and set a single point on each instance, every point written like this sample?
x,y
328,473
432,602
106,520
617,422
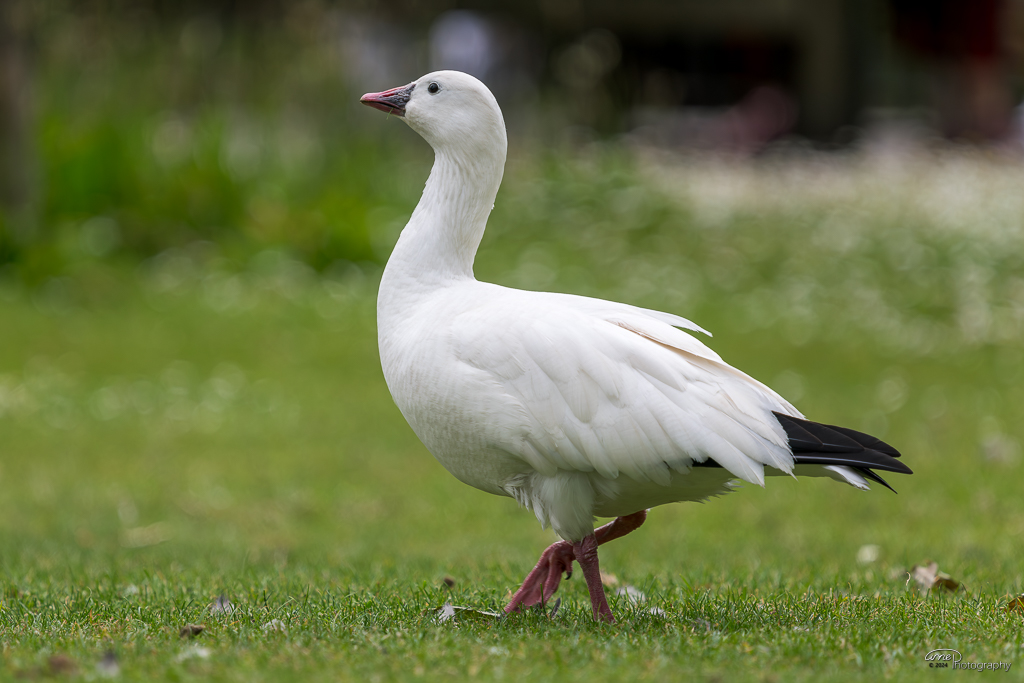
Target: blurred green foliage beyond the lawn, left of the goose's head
x,y
155,135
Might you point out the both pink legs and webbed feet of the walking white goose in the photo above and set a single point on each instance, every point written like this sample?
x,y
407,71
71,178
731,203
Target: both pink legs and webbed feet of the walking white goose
x,y
542,583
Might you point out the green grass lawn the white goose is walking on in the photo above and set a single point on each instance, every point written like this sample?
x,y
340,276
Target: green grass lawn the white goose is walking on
x,y
202,426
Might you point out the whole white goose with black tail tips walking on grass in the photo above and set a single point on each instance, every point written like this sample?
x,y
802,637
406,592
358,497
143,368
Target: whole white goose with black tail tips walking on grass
x,y
575,407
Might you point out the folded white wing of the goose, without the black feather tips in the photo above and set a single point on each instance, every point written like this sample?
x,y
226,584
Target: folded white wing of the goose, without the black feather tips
x,y
589,386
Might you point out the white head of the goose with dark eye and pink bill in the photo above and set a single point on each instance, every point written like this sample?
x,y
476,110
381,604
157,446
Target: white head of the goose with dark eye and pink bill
x,y
452,111
